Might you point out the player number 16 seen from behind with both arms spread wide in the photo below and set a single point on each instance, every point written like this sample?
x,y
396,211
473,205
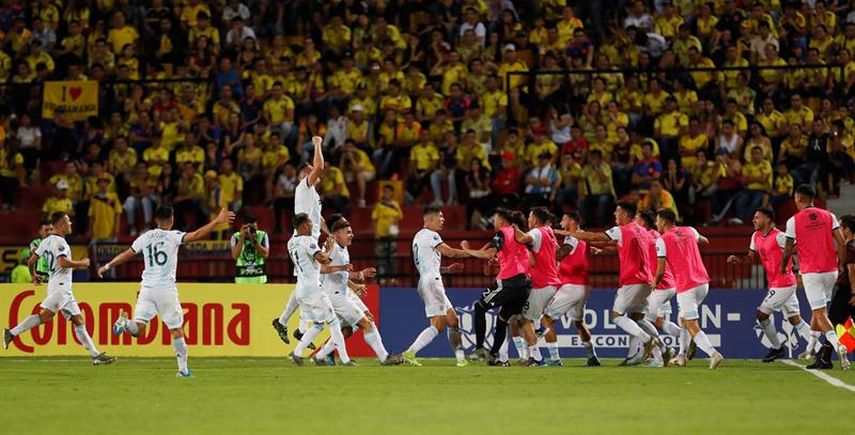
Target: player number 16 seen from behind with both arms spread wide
x,y
158,293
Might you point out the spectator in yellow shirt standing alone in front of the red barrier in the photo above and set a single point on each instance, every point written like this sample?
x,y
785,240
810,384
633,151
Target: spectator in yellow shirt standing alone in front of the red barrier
x,y
386,216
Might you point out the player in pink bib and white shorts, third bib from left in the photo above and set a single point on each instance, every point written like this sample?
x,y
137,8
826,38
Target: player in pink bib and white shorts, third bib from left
x,y
571,297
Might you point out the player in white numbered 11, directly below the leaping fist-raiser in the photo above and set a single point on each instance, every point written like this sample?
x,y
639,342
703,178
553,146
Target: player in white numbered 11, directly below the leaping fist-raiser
x,y
314,303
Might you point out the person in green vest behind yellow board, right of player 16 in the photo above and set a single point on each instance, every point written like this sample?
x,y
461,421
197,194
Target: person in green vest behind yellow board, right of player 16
x,y
250,247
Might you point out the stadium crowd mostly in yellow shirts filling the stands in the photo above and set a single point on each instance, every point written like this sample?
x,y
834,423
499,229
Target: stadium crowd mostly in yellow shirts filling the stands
x,y
213,104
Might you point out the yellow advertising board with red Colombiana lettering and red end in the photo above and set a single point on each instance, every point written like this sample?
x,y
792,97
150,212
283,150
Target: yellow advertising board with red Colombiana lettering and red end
x,y
219,320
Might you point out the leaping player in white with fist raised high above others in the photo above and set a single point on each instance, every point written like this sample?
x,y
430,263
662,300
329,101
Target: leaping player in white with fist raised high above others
x,y
307,201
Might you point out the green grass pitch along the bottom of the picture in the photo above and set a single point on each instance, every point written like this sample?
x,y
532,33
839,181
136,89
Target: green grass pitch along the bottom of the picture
x,y
257,395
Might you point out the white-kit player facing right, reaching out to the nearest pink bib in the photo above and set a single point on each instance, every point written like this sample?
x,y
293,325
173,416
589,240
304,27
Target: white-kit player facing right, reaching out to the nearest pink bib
x,y
428,249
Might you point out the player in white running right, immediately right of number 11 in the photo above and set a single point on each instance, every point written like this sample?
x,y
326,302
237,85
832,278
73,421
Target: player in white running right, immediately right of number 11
x,y
335,284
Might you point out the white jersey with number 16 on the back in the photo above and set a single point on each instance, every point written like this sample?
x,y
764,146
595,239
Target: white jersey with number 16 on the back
x,y
160,256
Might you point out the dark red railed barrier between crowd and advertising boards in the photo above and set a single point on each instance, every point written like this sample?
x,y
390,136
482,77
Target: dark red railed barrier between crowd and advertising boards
x,y
217,266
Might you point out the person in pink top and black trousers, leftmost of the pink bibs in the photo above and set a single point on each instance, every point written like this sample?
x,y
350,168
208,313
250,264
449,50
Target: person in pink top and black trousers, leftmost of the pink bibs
x,y
511,290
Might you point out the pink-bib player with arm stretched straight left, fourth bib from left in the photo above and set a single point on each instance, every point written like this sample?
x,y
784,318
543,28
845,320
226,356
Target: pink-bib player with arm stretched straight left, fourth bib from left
x,y
630,304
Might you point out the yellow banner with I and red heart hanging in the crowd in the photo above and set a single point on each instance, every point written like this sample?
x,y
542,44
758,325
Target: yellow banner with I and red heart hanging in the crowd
x,y
78,99
